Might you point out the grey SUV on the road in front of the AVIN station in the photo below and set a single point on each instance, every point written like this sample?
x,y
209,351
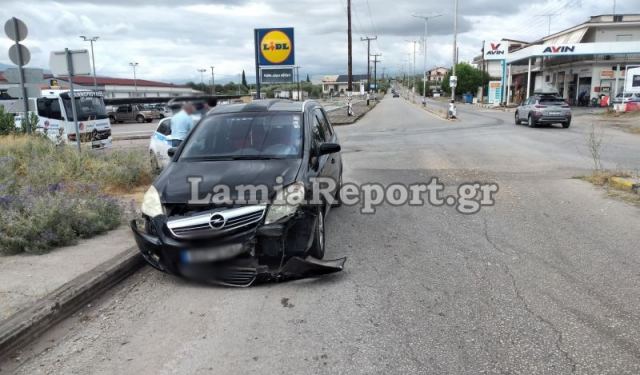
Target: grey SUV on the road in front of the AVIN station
x,y
543,109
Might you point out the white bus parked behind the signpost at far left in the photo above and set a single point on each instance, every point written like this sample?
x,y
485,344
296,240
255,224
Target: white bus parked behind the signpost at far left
x,y
55,117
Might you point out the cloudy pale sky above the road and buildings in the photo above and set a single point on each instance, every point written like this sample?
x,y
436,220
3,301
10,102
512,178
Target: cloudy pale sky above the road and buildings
x,y
171,39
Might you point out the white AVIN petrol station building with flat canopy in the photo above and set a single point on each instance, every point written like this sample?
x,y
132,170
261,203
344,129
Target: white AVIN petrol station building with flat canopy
x,y
581,63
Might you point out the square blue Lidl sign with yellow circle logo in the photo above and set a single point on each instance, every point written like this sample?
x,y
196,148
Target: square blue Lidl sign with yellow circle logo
x,y
275,46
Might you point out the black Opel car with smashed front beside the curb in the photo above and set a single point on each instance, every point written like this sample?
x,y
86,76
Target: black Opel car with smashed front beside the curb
x,y
202,220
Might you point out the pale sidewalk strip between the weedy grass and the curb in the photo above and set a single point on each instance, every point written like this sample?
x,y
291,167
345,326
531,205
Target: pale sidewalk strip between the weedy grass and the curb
x,y
25,278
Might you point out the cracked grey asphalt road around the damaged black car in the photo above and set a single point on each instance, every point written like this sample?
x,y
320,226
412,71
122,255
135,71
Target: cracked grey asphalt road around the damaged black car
x,y
544,282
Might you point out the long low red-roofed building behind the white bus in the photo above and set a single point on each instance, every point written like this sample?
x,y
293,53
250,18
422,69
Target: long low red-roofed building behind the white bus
x,y
114,87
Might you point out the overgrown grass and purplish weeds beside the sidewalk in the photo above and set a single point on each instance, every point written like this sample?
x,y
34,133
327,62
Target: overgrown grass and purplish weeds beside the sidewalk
x,y
52,195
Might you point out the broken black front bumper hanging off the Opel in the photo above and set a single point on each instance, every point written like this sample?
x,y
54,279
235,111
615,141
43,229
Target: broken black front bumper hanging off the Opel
x,y
262,253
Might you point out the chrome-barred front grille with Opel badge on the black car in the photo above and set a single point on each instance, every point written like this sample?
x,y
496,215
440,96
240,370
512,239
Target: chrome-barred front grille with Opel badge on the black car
x,y
215,223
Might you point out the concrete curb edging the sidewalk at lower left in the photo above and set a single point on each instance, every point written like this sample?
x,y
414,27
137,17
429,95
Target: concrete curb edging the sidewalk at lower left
x,y
26,325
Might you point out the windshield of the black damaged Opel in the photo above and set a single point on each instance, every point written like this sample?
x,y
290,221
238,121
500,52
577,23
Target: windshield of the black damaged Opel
x,y
246,136
